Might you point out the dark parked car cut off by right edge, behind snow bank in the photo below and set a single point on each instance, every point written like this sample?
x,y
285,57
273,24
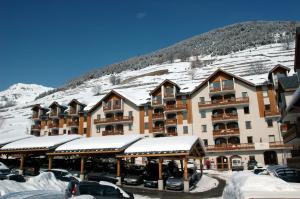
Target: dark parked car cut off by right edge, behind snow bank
x,y
285,173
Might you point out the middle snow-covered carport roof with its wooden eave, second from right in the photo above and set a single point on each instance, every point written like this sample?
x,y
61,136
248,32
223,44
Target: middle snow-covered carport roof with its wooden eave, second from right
x,y
96,145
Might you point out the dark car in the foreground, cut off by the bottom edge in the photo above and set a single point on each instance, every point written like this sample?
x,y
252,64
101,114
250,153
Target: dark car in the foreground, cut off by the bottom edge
x,y
103,190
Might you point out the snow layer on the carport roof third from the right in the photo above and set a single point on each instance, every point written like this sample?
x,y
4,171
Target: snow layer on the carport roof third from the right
x,y
40,142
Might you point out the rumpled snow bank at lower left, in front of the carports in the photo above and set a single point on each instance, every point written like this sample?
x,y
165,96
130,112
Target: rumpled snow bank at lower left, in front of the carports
x,y
44,181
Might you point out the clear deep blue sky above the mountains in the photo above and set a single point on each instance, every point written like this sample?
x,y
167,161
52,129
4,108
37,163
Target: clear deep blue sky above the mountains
x,y
49,42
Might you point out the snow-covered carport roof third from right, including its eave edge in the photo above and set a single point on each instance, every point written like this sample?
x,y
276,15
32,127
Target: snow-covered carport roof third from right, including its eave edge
x,y
35,144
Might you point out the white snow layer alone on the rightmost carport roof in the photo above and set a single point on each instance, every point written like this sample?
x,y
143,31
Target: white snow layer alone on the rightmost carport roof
x,y
162,144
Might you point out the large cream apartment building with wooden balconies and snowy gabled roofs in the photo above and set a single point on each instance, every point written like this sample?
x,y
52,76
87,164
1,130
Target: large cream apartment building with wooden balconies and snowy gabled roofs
x,y
235,117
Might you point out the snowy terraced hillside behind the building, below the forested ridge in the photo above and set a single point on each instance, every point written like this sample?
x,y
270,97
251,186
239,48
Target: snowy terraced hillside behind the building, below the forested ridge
x,y
137,84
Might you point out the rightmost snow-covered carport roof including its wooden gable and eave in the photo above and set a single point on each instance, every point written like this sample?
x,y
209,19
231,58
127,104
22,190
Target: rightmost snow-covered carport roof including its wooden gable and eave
x,y
166,146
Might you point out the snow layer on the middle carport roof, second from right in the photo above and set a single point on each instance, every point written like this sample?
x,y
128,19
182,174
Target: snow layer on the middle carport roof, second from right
x,y
99,143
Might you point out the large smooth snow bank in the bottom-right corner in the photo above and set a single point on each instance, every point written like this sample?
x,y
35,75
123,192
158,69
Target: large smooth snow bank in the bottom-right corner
x,y
245,184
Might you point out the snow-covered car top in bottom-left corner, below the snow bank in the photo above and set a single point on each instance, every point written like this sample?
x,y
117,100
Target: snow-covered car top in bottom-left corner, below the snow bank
x,y
36,194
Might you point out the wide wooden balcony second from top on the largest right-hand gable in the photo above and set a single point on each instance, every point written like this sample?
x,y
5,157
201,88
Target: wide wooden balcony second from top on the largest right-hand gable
x,y
223,103
